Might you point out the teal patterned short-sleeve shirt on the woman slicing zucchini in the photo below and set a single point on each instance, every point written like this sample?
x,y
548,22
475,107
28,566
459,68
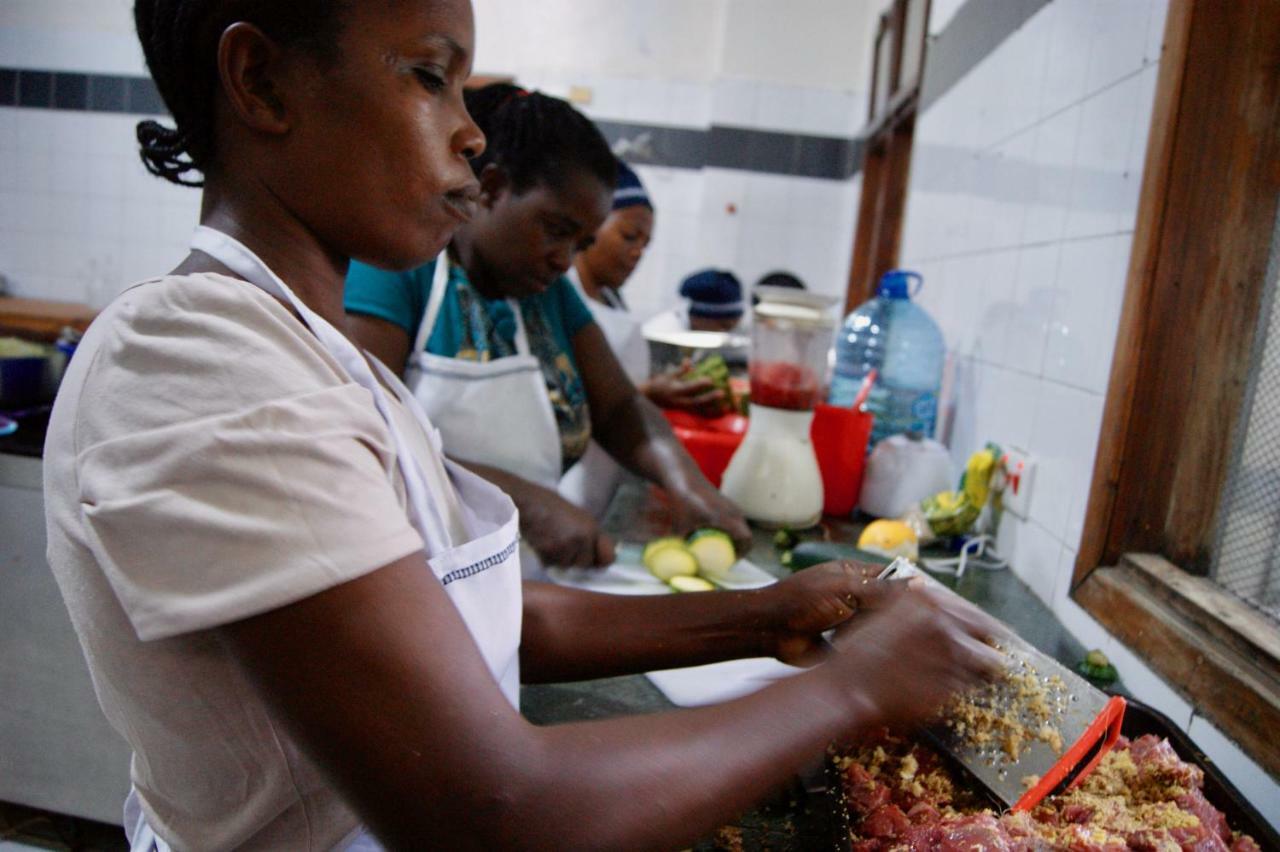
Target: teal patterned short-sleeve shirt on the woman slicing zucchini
x,y
478,329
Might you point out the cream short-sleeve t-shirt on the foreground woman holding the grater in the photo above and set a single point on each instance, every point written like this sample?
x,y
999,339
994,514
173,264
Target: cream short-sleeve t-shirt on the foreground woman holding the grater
x,y
209,461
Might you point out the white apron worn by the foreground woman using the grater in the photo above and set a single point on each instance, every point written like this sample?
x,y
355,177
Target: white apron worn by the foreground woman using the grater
x,y
481,576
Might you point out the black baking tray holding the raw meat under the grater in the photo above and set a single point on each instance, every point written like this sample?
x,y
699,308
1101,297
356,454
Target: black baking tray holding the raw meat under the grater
x,y
1140,720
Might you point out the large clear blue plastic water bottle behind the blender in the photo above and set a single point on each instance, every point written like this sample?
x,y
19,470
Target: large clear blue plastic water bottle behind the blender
x,y
897,337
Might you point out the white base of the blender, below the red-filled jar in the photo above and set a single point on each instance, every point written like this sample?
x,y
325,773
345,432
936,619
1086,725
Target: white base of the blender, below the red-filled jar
x,y
774,477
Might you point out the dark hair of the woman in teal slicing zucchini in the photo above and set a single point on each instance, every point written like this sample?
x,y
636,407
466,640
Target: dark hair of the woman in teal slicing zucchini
x,y
537,139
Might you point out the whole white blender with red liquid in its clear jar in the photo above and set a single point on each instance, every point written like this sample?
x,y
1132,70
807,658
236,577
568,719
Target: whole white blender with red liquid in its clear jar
x,y
774,478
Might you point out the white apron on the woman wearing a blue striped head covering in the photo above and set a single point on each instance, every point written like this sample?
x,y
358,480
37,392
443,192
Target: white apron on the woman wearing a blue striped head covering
x,y
592,483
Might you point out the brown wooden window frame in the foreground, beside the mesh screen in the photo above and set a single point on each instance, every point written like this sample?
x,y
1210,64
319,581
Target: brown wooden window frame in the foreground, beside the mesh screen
x,y
1196,282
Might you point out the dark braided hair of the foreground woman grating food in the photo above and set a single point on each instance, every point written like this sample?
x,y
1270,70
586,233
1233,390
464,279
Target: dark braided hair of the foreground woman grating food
x,y
180,40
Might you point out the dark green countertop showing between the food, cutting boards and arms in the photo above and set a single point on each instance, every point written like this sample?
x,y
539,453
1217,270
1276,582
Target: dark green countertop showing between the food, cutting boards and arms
x,y
793,819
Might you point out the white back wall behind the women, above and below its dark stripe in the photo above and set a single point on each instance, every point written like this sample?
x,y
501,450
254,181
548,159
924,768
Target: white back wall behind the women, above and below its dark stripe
x,y
83,219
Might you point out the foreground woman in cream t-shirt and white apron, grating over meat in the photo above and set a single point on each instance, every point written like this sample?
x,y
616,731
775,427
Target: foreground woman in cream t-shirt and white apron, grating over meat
x,y
301,617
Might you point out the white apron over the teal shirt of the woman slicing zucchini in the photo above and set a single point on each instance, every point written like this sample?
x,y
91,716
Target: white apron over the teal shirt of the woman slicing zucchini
x,y
495,413
